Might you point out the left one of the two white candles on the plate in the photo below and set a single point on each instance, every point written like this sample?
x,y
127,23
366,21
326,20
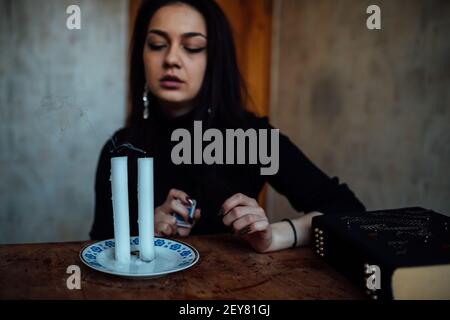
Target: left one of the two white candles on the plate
x,y
119,184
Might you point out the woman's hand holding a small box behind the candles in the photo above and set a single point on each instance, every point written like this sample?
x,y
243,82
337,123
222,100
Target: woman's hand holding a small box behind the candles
x,y
165,223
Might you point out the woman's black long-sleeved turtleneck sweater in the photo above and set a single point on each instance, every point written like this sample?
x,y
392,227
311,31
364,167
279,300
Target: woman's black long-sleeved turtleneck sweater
x,y
306,187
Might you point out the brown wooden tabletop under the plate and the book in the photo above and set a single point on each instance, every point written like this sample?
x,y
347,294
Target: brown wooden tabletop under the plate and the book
x,y
228,269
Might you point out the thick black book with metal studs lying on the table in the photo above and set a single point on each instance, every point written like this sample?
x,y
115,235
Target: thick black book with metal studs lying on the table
x,y
393,254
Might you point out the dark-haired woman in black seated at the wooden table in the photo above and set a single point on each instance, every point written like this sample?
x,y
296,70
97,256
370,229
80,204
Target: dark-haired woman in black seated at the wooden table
x,y
184,68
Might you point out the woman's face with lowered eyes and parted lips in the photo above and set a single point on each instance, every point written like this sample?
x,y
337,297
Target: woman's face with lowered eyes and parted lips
x,y
175,56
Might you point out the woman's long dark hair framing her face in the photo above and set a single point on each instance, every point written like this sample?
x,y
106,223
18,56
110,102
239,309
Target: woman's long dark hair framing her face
x,y
223,90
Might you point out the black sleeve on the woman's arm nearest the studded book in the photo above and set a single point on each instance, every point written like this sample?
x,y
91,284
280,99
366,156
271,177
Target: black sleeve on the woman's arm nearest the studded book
x,y
306,186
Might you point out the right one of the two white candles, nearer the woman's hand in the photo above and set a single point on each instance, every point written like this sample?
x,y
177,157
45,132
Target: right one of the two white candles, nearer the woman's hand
x,y
146,209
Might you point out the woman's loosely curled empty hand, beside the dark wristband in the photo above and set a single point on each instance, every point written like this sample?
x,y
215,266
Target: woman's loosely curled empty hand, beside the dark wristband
x,y
248,220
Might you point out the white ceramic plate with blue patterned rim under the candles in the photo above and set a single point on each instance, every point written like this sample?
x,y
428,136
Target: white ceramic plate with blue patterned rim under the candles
x,y
171,256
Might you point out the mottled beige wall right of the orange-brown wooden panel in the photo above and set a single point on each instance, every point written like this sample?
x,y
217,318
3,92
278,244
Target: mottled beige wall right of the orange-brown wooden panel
x,y
371,107
